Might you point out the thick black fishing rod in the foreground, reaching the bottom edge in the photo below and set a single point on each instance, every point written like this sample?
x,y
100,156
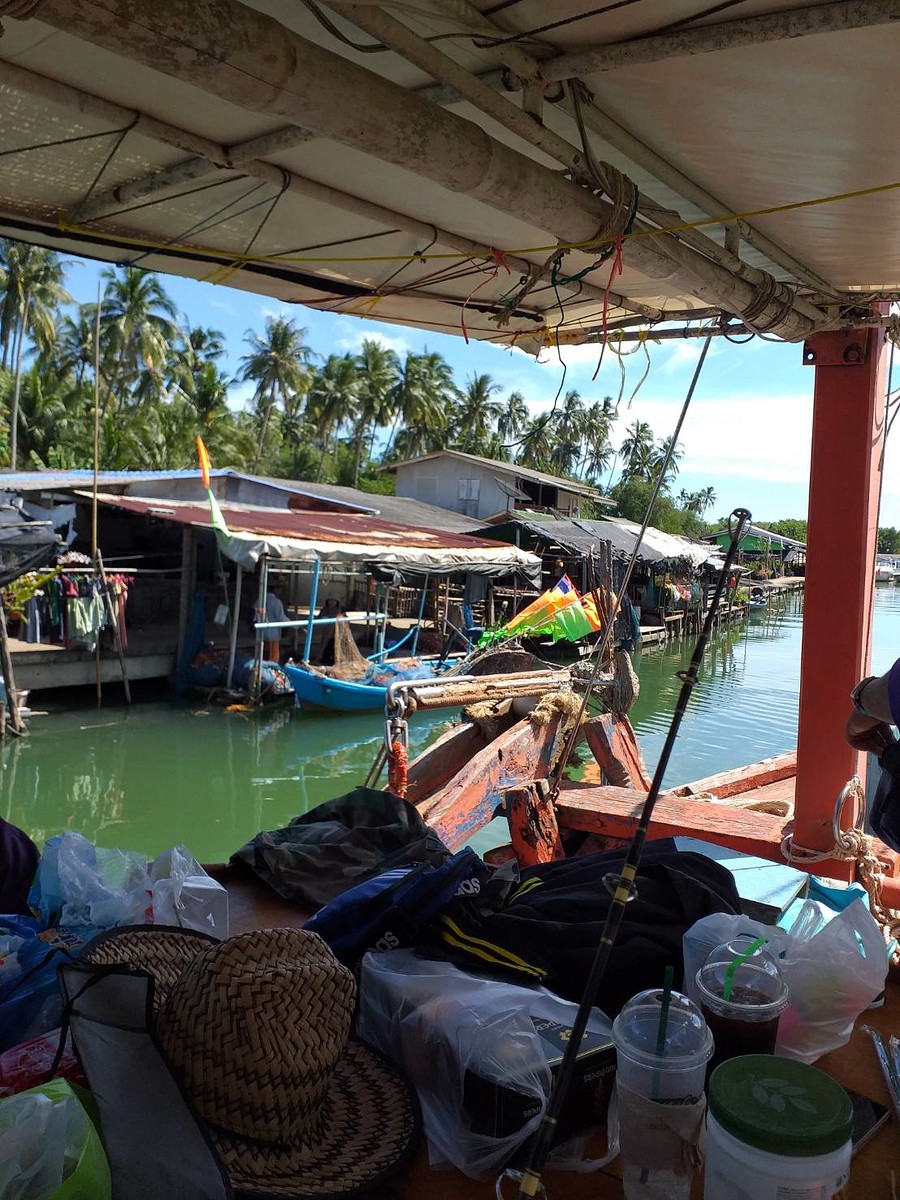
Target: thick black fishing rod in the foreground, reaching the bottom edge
x,y
622,887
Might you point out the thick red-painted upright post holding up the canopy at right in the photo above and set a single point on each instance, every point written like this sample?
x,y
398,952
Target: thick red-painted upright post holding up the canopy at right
x,y
848,435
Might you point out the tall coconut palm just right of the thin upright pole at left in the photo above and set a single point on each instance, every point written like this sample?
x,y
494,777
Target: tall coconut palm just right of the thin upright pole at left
x,y
139,331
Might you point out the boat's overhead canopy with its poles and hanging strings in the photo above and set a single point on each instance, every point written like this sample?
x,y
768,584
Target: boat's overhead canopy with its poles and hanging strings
x,y
421,163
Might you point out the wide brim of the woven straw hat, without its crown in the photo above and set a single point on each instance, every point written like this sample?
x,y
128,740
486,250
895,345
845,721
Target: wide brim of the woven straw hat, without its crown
x,y
370,1123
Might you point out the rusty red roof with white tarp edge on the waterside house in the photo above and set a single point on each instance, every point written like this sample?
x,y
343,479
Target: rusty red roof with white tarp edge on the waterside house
x,y
340,538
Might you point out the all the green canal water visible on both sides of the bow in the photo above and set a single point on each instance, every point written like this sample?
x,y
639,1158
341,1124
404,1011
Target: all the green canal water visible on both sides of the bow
x,y
170,772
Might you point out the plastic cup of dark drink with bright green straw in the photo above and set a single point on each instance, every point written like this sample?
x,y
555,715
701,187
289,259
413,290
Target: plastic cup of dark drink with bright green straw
x,y
746,1023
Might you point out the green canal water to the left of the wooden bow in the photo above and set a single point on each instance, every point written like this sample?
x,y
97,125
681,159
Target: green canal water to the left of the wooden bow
x,y
163,773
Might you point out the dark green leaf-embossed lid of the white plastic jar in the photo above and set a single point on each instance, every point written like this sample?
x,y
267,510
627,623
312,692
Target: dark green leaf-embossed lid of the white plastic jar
x,y
781,1106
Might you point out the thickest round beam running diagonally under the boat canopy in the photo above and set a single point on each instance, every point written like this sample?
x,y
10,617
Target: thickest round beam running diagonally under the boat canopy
x,y
253,62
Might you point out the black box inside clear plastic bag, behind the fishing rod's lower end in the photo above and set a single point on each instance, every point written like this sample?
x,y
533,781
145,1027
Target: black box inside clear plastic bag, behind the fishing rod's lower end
x,y
500,1112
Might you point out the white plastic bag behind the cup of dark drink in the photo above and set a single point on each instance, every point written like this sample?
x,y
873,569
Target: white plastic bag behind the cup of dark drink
x,y
833,971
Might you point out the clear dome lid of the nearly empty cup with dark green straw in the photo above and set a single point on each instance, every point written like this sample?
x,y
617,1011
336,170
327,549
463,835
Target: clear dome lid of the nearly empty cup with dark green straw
x,y
688,1040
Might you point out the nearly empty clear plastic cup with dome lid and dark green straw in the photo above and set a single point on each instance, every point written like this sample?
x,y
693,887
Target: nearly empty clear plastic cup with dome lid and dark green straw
x,y
665,1077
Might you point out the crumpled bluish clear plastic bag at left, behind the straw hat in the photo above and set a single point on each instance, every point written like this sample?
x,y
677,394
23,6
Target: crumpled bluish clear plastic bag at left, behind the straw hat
x,y
79,884
